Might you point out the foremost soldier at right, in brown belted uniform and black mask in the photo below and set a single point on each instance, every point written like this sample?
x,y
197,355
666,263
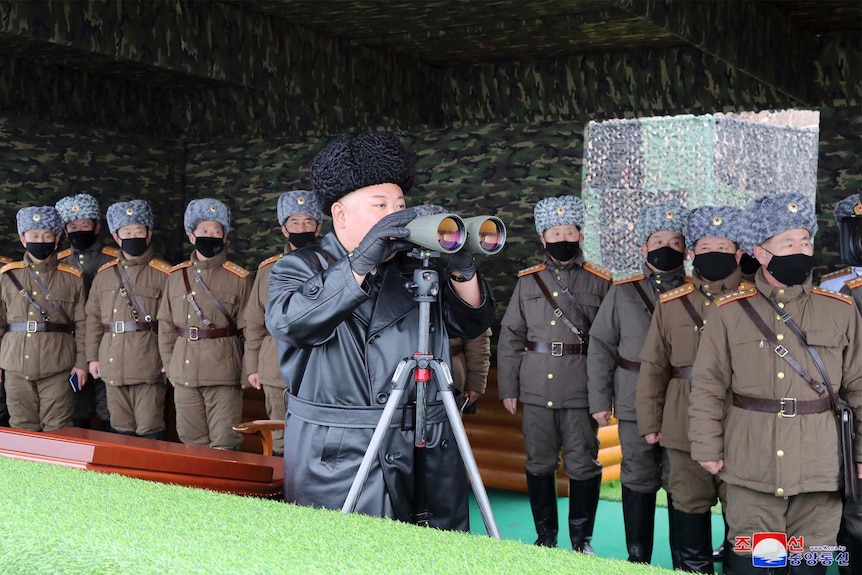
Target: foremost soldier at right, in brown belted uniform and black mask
x,y
755,419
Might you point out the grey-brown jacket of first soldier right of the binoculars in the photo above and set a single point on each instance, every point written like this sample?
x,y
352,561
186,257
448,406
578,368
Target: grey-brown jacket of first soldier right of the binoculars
x,y
541,378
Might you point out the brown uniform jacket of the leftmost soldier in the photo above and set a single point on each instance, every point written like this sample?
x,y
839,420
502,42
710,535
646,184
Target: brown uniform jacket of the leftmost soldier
x,y
38,355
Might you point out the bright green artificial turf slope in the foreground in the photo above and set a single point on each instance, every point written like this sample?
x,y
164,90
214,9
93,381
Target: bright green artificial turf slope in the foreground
x,y
69,522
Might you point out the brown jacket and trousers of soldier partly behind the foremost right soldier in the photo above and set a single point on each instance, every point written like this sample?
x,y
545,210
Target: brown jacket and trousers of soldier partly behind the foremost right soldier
x,y
664,385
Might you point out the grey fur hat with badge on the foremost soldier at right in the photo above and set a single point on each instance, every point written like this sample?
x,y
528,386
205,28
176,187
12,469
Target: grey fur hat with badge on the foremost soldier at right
x,y
766,216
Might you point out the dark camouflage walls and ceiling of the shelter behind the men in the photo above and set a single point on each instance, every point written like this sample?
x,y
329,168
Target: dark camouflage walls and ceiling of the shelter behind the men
x,y
171,100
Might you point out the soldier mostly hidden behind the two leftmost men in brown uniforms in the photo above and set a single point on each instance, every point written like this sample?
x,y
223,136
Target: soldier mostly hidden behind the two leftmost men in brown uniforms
x,y
81,215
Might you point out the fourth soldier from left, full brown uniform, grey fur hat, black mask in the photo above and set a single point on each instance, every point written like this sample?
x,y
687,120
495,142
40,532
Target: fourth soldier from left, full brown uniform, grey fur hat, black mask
x,y
200,318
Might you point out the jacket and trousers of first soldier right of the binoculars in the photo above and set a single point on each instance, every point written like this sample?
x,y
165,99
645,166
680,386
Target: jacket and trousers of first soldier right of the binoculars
x,y
543,363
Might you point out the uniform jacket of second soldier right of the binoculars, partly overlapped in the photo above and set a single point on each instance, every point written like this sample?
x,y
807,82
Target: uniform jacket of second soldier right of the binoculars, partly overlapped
x,y
619,331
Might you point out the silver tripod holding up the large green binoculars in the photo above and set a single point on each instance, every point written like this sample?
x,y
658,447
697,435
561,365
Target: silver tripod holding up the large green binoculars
x,y
425,287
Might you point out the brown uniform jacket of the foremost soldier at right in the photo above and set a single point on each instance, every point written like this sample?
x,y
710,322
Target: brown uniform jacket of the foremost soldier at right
x,y
763,452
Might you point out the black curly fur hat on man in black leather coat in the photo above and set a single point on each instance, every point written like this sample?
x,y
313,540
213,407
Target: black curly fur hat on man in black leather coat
x,y
354,161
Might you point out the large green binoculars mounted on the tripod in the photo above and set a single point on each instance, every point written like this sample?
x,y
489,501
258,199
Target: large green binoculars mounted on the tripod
x,y
448,233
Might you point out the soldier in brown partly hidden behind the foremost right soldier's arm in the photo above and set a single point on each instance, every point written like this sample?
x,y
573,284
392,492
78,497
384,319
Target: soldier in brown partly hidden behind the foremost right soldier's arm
x,y
663,383
